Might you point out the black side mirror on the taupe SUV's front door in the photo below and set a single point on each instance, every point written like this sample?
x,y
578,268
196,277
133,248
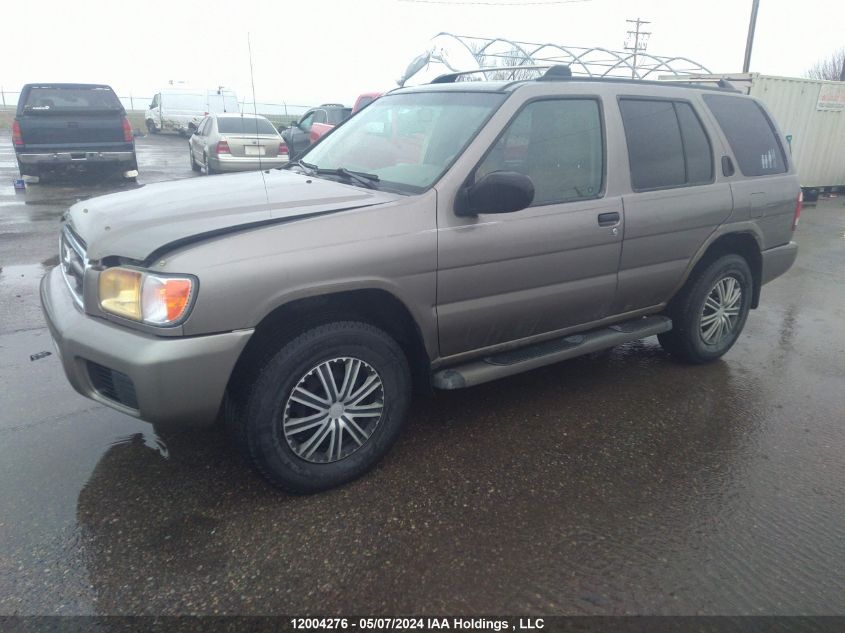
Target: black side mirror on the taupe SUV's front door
x,y
497,192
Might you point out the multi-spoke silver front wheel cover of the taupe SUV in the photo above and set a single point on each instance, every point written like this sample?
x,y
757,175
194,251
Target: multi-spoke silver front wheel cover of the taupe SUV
x,y
333,410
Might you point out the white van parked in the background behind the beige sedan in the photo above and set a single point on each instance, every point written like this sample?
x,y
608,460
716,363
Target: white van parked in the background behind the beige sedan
x,y
181,109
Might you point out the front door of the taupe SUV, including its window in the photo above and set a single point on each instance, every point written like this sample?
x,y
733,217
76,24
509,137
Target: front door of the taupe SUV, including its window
x,y
506,277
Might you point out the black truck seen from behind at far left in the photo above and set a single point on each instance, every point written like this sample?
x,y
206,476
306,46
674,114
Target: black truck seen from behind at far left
x,y
66,126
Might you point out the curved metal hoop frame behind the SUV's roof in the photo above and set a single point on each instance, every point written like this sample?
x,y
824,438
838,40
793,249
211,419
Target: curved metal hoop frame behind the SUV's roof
x,y
591,62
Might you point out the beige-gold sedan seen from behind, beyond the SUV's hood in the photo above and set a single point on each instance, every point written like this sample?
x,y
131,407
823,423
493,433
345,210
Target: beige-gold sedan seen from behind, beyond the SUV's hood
x,y
236,142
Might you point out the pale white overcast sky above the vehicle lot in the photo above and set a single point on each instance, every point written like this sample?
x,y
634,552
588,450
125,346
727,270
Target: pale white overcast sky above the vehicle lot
x,y
331,50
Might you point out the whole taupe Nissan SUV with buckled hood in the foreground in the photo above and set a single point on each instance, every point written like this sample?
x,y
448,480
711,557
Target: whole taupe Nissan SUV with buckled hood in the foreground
x,y
448,235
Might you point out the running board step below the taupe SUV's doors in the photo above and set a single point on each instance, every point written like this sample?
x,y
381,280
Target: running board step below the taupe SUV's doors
x,y
525,358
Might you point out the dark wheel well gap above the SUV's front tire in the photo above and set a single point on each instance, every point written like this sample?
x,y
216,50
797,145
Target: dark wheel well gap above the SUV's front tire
x,y
375,306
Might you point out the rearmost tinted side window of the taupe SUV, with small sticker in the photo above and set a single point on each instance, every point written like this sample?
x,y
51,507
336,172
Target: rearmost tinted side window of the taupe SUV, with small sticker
x,y
750,134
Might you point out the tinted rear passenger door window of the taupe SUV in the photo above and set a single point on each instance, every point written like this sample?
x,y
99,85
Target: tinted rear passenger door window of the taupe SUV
x,y
667,145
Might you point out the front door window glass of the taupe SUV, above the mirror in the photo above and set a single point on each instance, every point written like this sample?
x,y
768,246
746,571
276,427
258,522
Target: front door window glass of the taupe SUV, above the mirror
x,y
556,143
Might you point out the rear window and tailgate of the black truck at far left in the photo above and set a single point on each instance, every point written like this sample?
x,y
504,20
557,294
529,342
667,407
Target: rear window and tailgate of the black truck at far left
x,y
70,117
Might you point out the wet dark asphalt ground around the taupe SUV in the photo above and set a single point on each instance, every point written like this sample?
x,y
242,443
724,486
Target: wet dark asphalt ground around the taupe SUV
x,y
617,483
